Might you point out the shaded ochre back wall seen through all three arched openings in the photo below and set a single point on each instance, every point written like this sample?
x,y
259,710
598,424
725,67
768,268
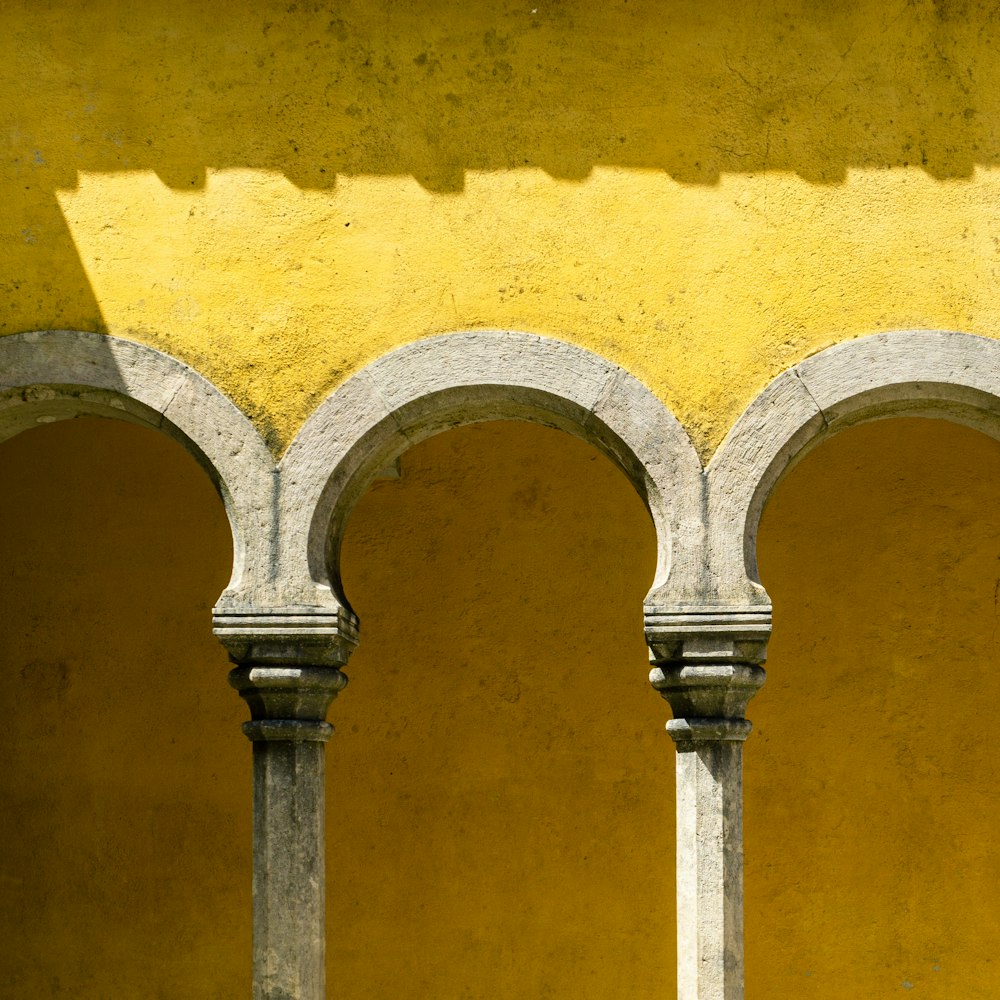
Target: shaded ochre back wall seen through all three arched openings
x,y
500,813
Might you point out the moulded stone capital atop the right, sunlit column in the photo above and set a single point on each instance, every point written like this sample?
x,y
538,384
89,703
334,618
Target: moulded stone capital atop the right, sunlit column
x,y
707,665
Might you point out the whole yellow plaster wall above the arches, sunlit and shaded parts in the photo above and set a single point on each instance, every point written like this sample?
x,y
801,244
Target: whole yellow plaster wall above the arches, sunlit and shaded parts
x,y
703,193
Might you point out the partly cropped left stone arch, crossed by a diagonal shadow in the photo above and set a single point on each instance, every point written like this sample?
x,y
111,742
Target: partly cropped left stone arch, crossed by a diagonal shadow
x,y
58,374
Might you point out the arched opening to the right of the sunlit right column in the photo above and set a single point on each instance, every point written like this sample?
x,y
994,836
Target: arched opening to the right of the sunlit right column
x,y
870,789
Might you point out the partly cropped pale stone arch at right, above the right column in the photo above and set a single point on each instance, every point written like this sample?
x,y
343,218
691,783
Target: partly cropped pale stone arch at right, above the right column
x,y
930,373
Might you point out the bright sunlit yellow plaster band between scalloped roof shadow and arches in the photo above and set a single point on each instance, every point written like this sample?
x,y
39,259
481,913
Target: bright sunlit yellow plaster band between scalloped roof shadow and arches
x,y
704,292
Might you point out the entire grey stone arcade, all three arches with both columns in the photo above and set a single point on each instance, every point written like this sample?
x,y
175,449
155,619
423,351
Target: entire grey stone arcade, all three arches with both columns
x,y
288,626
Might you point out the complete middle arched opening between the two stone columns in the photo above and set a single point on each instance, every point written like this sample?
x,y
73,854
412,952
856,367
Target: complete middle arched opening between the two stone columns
x,y
502,789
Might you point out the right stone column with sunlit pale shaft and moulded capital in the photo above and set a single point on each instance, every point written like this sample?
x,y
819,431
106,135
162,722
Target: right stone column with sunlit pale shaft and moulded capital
x,y
706,663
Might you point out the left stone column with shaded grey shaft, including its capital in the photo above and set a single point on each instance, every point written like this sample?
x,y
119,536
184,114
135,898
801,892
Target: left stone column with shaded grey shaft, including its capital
x,y
288,673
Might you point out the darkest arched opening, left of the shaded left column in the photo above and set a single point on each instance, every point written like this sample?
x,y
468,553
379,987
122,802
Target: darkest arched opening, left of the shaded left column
x,y
125,819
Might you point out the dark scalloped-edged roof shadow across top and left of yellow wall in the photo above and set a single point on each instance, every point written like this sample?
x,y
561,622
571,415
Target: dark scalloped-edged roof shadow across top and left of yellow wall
x,y
432,90
